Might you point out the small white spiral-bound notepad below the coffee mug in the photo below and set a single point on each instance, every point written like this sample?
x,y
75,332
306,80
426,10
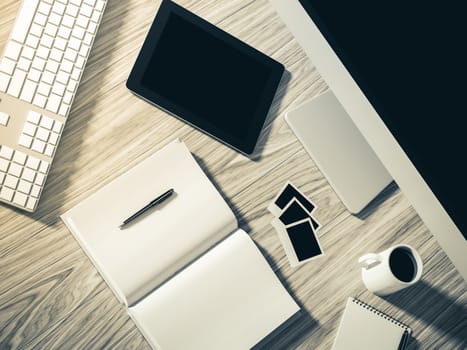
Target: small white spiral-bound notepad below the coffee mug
x,y
363,327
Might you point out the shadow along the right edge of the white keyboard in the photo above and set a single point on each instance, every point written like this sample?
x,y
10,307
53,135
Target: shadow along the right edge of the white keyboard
x,y
64,164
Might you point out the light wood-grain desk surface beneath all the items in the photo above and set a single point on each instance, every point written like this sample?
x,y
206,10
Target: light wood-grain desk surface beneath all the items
x,y
52,297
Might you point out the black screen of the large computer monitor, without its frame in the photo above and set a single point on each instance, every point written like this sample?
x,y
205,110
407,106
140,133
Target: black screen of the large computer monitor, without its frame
x,y
406,56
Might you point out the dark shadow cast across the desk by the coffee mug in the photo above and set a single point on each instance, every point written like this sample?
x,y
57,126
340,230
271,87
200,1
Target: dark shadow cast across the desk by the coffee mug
x,y
428,304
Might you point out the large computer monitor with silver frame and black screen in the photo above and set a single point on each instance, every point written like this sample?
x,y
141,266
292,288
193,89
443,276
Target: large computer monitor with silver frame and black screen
x,y
395,67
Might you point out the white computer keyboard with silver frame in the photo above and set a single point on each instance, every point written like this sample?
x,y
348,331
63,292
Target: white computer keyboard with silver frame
x,y
40,71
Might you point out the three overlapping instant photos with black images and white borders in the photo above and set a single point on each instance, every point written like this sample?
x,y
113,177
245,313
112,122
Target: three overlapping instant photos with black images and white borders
x,y
295,225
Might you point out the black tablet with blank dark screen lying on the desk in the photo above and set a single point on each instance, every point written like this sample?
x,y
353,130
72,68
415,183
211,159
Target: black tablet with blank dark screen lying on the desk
x,y
206,77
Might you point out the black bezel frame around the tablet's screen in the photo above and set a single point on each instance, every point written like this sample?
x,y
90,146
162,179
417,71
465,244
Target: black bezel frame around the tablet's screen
x,y
244,145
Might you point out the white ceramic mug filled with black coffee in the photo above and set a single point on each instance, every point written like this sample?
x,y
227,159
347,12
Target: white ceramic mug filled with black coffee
x,y
393,269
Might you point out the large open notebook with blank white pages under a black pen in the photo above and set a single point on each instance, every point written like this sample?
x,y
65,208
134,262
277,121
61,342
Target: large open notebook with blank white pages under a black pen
x,y
188,276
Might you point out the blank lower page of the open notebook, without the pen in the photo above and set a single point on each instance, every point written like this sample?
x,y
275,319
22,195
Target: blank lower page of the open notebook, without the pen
x,y
227,299
